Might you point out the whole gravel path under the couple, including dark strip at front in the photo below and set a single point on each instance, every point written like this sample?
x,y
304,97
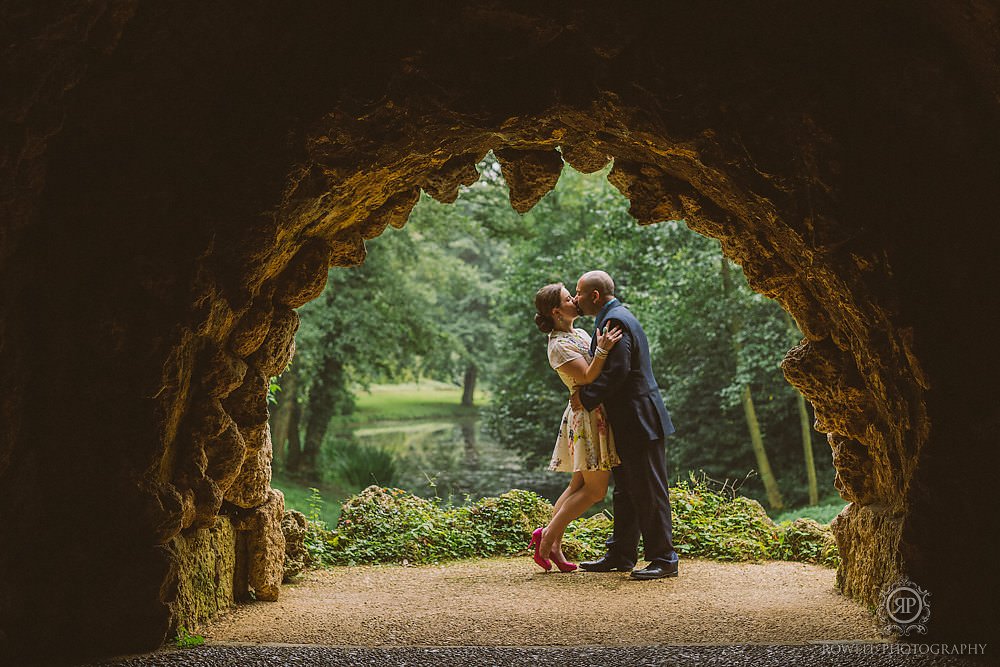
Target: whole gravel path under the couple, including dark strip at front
x,y
506,612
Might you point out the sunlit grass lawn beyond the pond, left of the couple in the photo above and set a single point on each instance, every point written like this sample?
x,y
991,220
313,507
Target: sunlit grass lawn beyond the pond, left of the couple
x,y
426,399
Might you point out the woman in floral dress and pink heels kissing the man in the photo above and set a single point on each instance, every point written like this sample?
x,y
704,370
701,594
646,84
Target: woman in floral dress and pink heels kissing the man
x,y
585,446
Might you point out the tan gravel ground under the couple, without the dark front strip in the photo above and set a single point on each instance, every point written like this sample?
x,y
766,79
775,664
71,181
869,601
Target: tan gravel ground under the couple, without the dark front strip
x,y
510,602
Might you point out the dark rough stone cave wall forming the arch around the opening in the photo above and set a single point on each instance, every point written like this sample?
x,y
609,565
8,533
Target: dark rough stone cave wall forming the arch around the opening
x,y
209,163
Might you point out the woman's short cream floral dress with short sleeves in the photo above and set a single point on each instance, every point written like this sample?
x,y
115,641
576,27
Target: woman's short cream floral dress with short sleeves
x,y
585,439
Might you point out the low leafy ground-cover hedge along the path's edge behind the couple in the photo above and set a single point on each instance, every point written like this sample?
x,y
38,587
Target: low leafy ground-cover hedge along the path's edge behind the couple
x,y
382,525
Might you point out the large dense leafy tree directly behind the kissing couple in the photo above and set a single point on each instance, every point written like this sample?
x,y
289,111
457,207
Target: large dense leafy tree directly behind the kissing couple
x,y
669,277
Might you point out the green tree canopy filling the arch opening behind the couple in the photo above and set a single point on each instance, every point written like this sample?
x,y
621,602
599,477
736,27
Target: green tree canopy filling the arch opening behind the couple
x,y
450,297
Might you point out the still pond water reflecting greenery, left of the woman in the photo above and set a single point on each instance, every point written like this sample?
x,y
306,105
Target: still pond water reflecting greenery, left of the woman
x,y
456,459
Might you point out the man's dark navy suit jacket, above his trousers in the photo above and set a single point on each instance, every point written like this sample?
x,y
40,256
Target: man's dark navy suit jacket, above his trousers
x,y
626,385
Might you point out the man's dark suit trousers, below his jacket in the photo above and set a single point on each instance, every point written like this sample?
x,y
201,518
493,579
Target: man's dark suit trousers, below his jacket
x,y
642,504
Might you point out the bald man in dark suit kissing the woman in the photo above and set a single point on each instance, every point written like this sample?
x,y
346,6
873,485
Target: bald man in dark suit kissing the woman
x,y
640,421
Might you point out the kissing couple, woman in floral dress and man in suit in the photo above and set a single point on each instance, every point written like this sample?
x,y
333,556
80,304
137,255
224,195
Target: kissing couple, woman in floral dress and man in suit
x,y
615,423
